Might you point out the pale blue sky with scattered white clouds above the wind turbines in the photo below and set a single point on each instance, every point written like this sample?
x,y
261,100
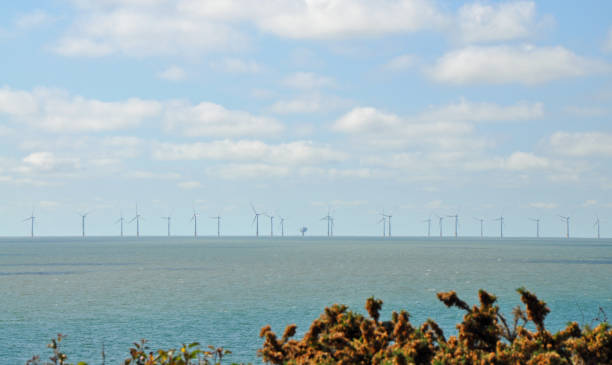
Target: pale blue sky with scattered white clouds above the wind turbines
x,y
417,108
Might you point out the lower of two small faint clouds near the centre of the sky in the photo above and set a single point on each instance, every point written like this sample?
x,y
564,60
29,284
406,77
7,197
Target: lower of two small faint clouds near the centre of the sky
x,y
311,103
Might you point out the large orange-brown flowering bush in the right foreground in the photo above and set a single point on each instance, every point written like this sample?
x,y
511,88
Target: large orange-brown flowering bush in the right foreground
x,y
485,336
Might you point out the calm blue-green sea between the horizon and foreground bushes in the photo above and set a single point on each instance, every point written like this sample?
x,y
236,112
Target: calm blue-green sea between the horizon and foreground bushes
x,y
221,292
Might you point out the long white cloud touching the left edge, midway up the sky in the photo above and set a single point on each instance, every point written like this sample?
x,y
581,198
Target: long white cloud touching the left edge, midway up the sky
x,y
57,111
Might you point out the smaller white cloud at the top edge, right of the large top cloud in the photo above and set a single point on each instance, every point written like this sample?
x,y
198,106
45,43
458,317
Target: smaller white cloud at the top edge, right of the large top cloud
x,y
485,22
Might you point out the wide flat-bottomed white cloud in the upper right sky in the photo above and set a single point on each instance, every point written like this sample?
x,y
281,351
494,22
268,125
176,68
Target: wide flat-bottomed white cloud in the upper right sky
x,y
512,64
